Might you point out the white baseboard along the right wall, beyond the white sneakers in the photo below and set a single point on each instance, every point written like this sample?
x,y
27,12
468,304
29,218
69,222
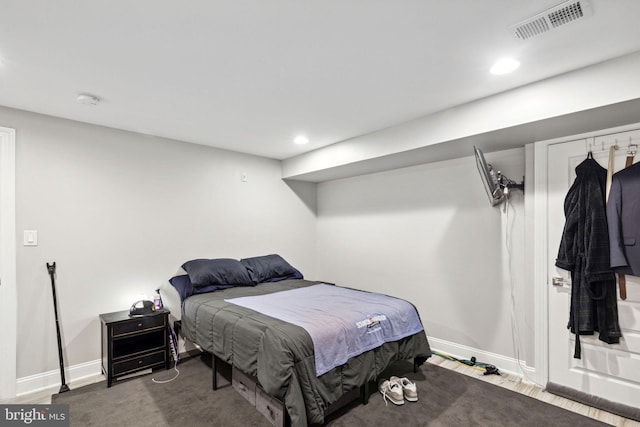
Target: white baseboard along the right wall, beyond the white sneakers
x,y
503,363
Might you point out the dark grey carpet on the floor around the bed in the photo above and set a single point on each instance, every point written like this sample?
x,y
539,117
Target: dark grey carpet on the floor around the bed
x,y
446,398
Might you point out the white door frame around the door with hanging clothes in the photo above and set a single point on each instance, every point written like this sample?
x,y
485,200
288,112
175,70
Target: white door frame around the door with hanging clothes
x,y
541,274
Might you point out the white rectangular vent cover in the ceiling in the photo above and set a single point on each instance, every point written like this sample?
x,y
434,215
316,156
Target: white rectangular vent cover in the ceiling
x,y
564,13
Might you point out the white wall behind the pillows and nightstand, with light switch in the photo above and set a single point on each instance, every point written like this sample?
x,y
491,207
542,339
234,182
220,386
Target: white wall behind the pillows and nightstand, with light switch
x,y
119,212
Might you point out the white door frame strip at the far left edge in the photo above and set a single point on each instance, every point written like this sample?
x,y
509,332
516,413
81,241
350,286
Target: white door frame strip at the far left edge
x,y
8,294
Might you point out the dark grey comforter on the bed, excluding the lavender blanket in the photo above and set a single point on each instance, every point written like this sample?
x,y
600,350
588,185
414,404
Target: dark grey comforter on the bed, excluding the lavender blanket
x,y
281,355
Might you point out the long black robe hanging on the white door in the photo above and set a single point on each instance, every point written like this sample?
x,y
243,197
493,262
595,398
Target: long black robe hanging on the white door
x,y
584,251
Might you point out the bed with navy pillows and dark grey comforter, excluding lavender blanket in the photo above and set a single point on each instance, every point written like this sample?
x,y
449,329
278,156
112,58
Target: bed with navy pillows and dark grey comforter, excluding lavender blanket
x,y
278,353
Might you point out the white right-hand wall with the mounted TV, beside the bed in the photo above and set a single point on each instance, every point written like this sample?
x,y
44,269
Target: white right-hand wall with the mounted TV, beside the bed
x,y
428,234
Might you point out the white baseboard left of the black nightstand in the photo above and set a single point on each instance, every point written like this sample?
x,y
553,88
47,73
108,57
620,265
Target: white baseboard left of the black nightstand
x,y
51,379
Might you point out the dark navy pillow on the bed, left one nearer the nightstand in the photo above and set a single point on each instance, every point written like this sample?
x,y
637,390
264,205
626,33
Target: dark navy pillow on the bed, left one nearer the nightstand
x,y
220,271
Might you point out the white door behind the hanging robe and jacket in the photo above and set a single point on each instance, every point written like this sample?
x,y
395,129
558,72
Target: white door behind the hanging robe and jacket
x,y
609,371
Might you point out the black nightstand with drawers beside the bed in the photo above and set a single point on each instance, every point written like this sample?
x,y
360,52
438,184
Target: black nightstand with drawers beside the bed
x,y
132,344
